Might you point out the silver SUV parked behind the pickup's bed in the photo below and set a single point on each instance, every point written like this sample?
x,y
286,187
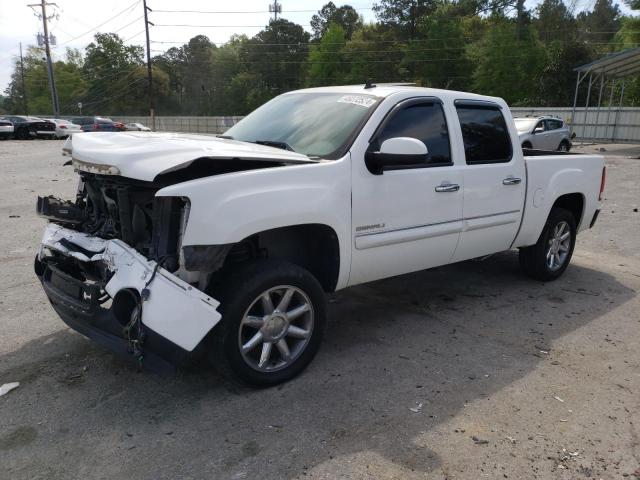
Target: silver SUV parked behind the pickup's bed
x,y
543,133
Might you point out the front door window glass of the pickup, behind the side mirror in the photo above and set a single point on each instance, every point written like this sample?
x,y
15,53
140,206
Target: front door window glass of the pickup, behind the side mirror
x,y
424,122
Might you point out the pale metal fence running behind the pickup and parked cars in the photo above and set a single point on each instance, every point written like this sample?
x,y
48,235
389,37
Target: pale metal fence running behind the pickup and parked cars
x,y
606,125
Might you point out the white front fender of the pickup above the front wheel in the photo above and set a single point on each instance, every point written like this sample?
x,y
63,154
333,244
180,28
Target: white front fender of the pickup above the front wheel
x,y
226,209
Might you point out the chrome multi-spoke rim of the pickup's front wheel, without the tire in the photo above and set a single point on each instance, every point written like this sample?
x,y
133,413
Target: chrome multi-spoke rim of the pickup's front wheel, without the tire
x,y
276,328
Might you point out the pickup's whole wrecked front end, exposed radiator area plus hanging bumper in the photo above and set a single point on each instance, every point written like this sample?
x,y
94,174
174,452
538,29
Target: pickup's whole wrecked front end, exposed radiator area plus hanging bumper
x,y
111,266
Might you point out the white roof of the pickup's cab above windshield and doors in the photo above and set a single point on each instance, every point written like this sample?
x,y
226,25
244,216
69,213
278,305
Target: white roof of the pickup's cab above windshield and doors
x,y
386,89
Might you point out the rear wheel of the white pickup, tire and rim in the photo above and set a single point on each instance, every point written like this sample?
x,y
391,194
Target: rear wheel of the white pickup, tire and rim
x,y
550,256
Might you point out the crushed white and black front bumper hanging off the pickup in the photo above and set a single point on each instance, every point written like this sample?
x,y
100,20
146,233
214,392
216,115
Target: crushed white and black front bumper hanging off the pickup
x,y
175,315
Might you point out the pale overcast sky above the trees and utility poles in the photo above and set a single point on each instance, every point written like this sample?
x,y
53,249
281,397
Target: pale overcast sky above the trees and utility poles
x,y
76,22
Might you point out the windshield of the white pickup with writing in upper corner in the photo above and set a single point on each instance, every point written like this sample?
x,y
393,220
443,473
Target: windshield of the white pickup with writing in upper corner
x,y
314,124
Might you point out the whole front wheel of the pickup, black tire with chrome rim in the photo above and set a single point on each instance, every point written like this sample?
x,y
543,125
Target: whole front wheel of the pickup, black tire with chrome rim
x,y
273,317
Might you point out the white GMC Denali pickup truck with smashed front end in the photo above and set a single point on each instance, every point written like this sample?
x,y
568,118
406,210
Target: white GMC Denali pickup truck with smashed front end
x,y
178,245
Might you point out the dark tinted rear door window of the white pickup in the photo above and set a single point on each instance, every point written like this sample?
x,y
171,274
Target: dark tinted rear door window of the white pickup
x,y
485,134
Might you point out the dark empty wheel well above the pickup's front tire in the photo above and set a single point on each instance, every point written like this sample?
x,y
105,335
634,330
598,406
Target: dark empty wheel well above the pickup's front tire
x,y
314,247
